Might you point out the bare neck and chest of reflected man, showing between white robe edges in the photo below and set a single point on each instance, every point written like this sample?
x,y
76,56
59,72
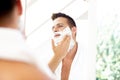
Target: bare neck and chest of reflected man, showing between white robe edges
x,y
67,62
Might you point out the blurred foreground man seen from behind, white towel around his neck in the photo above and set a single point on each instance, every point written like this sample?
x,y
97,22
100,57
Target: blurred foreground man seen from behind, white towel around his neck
x,y
16,61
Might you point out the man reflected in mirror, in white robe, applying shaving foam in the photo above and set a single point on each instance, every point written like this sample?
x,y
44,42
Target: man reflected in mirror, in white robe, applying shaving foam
x,y
62,21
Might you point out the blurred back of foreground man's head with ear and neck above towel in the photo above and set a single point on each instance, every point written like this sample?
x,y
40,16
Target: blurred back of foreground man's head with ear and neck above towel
x,y
10,12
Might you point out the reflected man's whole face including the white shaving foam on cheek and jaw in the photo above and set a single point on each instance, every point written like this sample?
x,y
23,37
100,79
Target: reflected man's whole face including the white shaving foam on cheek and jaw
x,y
60,29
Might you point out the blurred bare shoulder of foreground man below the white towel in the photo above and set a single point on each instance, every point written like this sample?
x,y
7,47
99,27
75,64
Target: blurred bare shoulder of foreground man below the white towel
x,y
12,70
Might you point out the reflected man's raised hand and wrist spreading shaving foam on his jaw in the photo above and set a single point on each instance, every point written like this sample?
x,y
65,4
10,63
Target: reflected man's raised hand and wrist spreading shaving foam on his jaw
x,y
60,52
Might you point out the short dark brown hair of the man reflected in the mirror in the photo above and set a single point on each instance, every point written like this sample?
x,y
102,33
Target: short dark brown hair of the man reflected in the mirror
x,y
71,22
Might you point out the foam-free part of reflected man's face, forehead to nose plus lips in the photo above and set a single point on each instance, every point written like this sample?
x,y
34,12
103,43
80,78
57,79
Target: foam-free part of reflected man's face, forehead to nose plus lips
x,y
59,24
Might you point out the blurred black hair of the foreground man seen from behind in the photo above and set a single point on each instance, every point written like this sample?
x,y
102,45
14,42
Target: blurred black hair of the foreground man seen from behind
x,y
6,6
